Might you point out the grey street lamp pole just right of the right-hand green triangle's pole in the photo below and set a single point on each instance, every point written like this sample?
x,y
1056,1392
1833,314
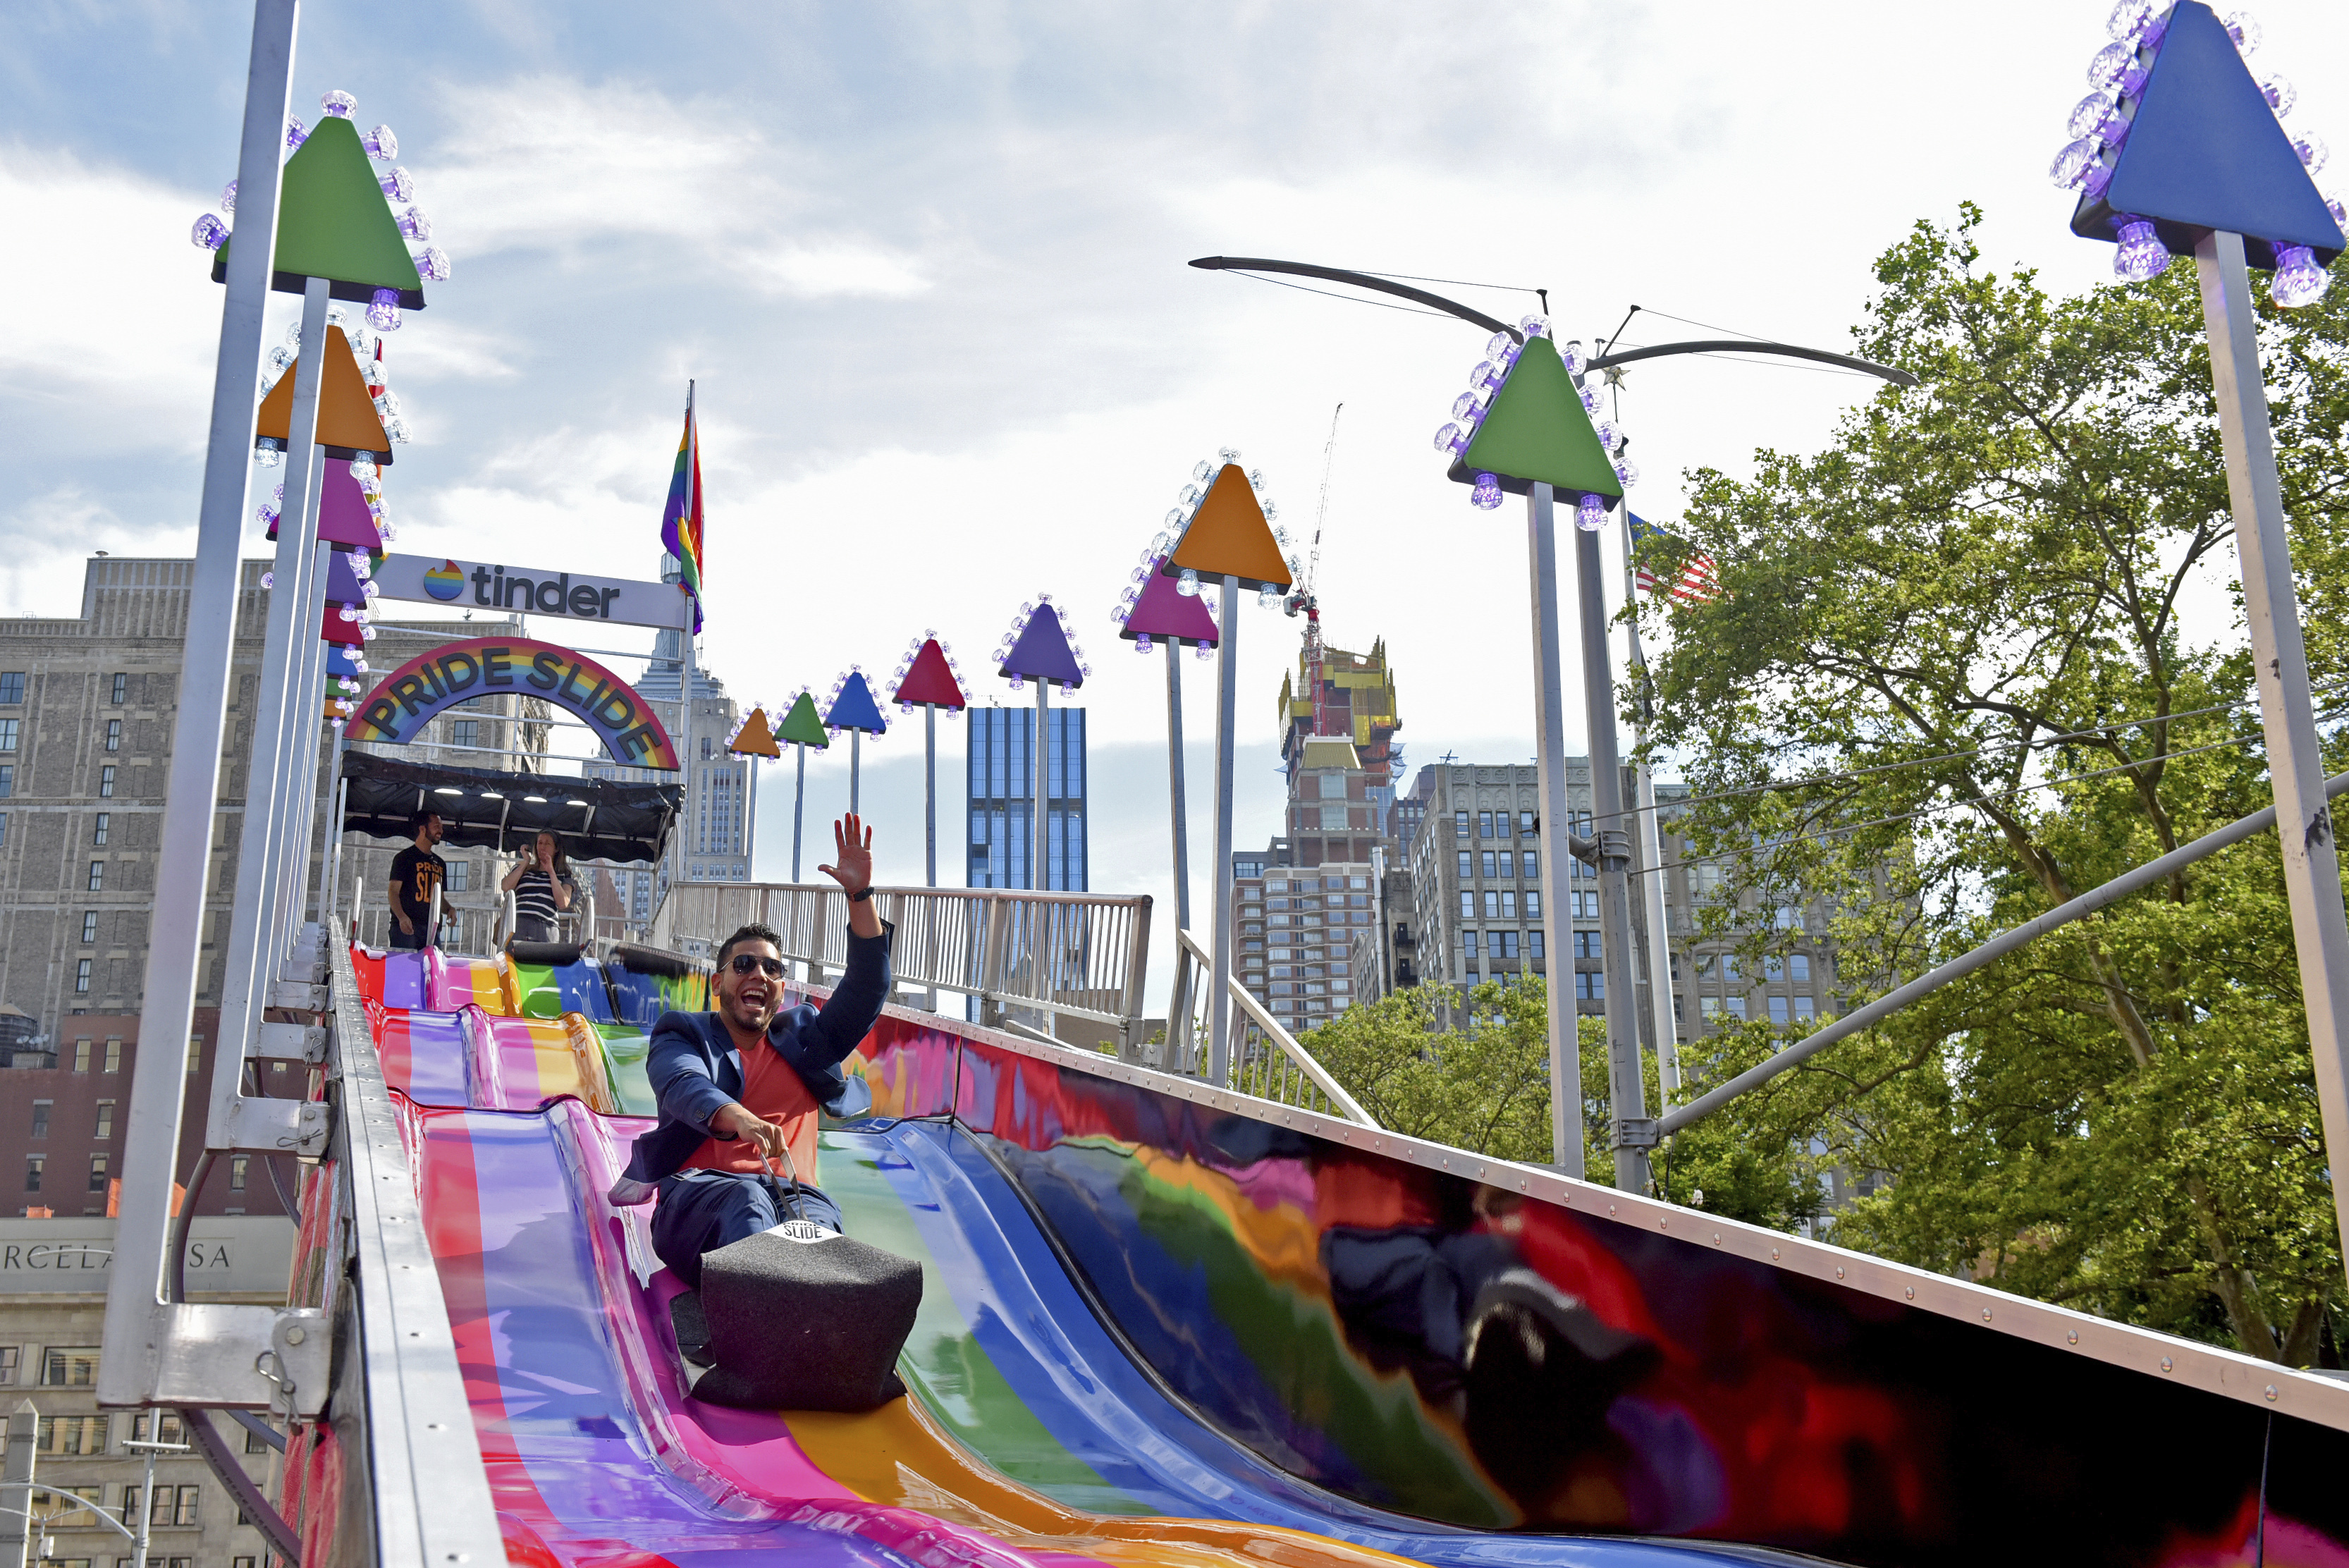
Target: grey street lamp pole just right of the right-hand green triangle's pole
x,y
1627,1083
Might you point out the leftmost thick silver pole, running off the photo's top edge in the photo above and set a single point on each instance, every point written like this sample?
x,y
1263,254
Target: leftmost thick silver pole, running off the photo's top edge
x,y
175,939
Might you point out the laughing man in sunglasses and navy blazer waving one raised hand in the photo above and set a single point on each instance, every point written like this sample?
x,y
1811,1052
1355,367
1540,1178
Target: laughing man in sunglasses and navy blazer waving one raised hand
x,y
741,1087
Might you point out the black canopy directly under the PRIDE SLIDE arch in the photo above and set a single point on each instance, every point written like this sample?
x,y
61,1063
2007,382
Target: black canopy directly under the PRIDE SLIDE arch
x,y
598,819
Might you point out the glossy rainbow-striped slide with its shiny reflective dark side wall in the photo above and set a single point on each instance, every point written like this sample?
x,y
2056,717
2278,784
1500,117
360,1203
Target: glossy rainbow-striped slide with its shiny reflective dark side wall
x,y
1164,1336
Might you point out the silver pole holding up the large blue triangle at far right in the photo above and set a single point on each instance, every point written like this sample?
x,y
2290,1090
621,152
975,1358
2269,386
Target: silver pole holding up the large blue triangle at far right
x,y
2313,876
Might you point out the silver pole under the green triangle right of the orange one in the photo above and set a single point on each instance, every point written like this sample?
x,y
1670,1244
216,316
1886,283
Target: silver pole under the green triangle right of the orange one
x,y
1556,822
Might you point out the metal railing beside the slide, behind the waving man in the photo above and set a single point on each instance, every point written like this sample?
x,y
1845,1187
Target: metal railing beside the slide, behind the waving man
x,y
1084,956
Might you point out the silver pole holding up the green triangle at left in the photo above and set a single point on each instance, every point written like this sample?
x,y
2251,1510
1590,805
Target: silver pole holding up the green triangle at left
x,y
253,923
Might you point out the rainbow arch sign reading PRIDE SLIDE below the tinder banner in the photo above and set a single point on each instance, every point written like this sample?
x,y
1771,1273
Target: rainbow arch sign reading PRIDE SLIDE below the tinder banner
x,y
487,666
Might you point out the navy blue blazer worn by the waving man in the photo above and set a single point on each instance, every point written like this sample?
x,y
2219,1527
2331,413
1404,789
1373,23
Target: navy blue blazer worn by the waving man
x,y
696,1071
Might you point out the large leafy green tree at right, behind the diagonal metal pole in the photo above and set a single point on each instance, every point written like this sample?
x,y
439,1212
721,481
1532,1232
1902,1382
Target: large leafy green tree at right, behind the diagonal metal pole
x,y
1956,681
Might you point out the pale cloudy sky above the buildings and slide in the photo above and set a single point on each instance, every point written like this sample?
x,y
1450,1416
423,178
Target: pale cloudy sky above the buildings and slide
x,y
927,264
